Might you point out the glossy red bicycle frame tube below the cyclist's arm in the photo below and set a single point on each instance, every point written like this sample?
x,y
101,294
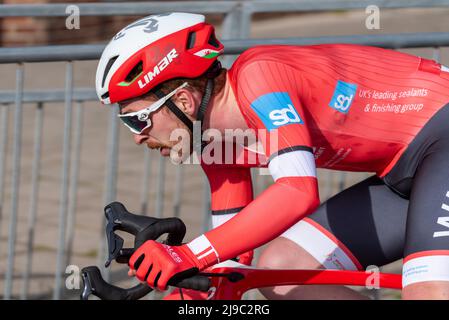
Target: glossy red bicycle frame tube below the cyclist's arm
x,y
258,278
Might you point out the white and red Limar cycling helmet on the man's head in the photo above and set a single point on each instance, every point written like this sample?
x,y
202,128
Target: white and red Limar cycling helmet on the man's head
x,y
152,50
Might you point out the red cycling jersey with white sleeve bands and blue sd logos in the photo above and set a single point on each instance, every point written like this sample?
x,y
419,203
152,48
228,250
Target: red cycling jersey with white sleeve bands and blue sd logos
x,y
343,107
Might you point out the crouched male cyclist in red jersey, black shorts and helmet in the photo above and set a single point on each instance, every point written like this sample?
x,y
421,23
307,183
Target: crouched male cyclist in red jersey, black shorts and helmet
x,y
342,107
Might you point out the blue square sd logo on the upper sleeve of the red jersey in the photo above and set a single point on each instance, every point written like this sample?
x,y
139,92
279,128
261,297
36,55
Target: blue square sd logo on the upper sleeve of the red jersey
x,y
276,110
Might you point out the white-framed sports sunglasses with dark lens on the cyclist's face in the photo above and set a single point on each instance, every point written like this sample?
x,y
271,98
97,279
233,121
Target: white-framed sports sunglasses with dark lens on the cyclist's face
x,y
140,120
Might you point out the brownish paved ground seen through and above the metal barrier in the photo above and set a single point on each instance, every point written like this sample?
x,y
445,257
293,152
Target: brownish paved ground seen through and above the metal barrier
x,y
90,196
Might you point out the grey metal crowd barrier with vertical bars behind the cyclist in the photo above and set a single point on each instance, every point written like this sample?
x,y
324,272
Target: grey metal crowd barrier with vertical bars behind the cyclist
x,y
235,26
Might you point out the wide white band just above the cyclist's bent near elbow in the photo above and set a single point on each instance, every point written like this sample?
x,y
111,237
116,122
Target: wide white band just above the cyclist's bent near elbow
x,y
297,163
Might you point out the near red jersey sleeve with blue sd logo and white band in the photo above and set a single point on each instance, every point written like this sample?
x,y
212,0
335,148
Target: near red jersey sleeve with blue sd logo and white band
x,y
269,101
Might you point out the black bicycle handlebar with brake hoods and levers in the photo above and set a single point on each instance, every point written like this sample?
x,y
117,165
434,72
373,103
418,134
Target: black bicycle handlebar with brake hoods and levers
x,y
143,228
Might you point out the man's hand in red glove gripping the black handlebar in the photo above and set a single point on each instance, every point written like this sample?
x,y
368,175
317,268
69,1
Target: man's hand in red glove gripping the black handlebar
x,y
157,263
